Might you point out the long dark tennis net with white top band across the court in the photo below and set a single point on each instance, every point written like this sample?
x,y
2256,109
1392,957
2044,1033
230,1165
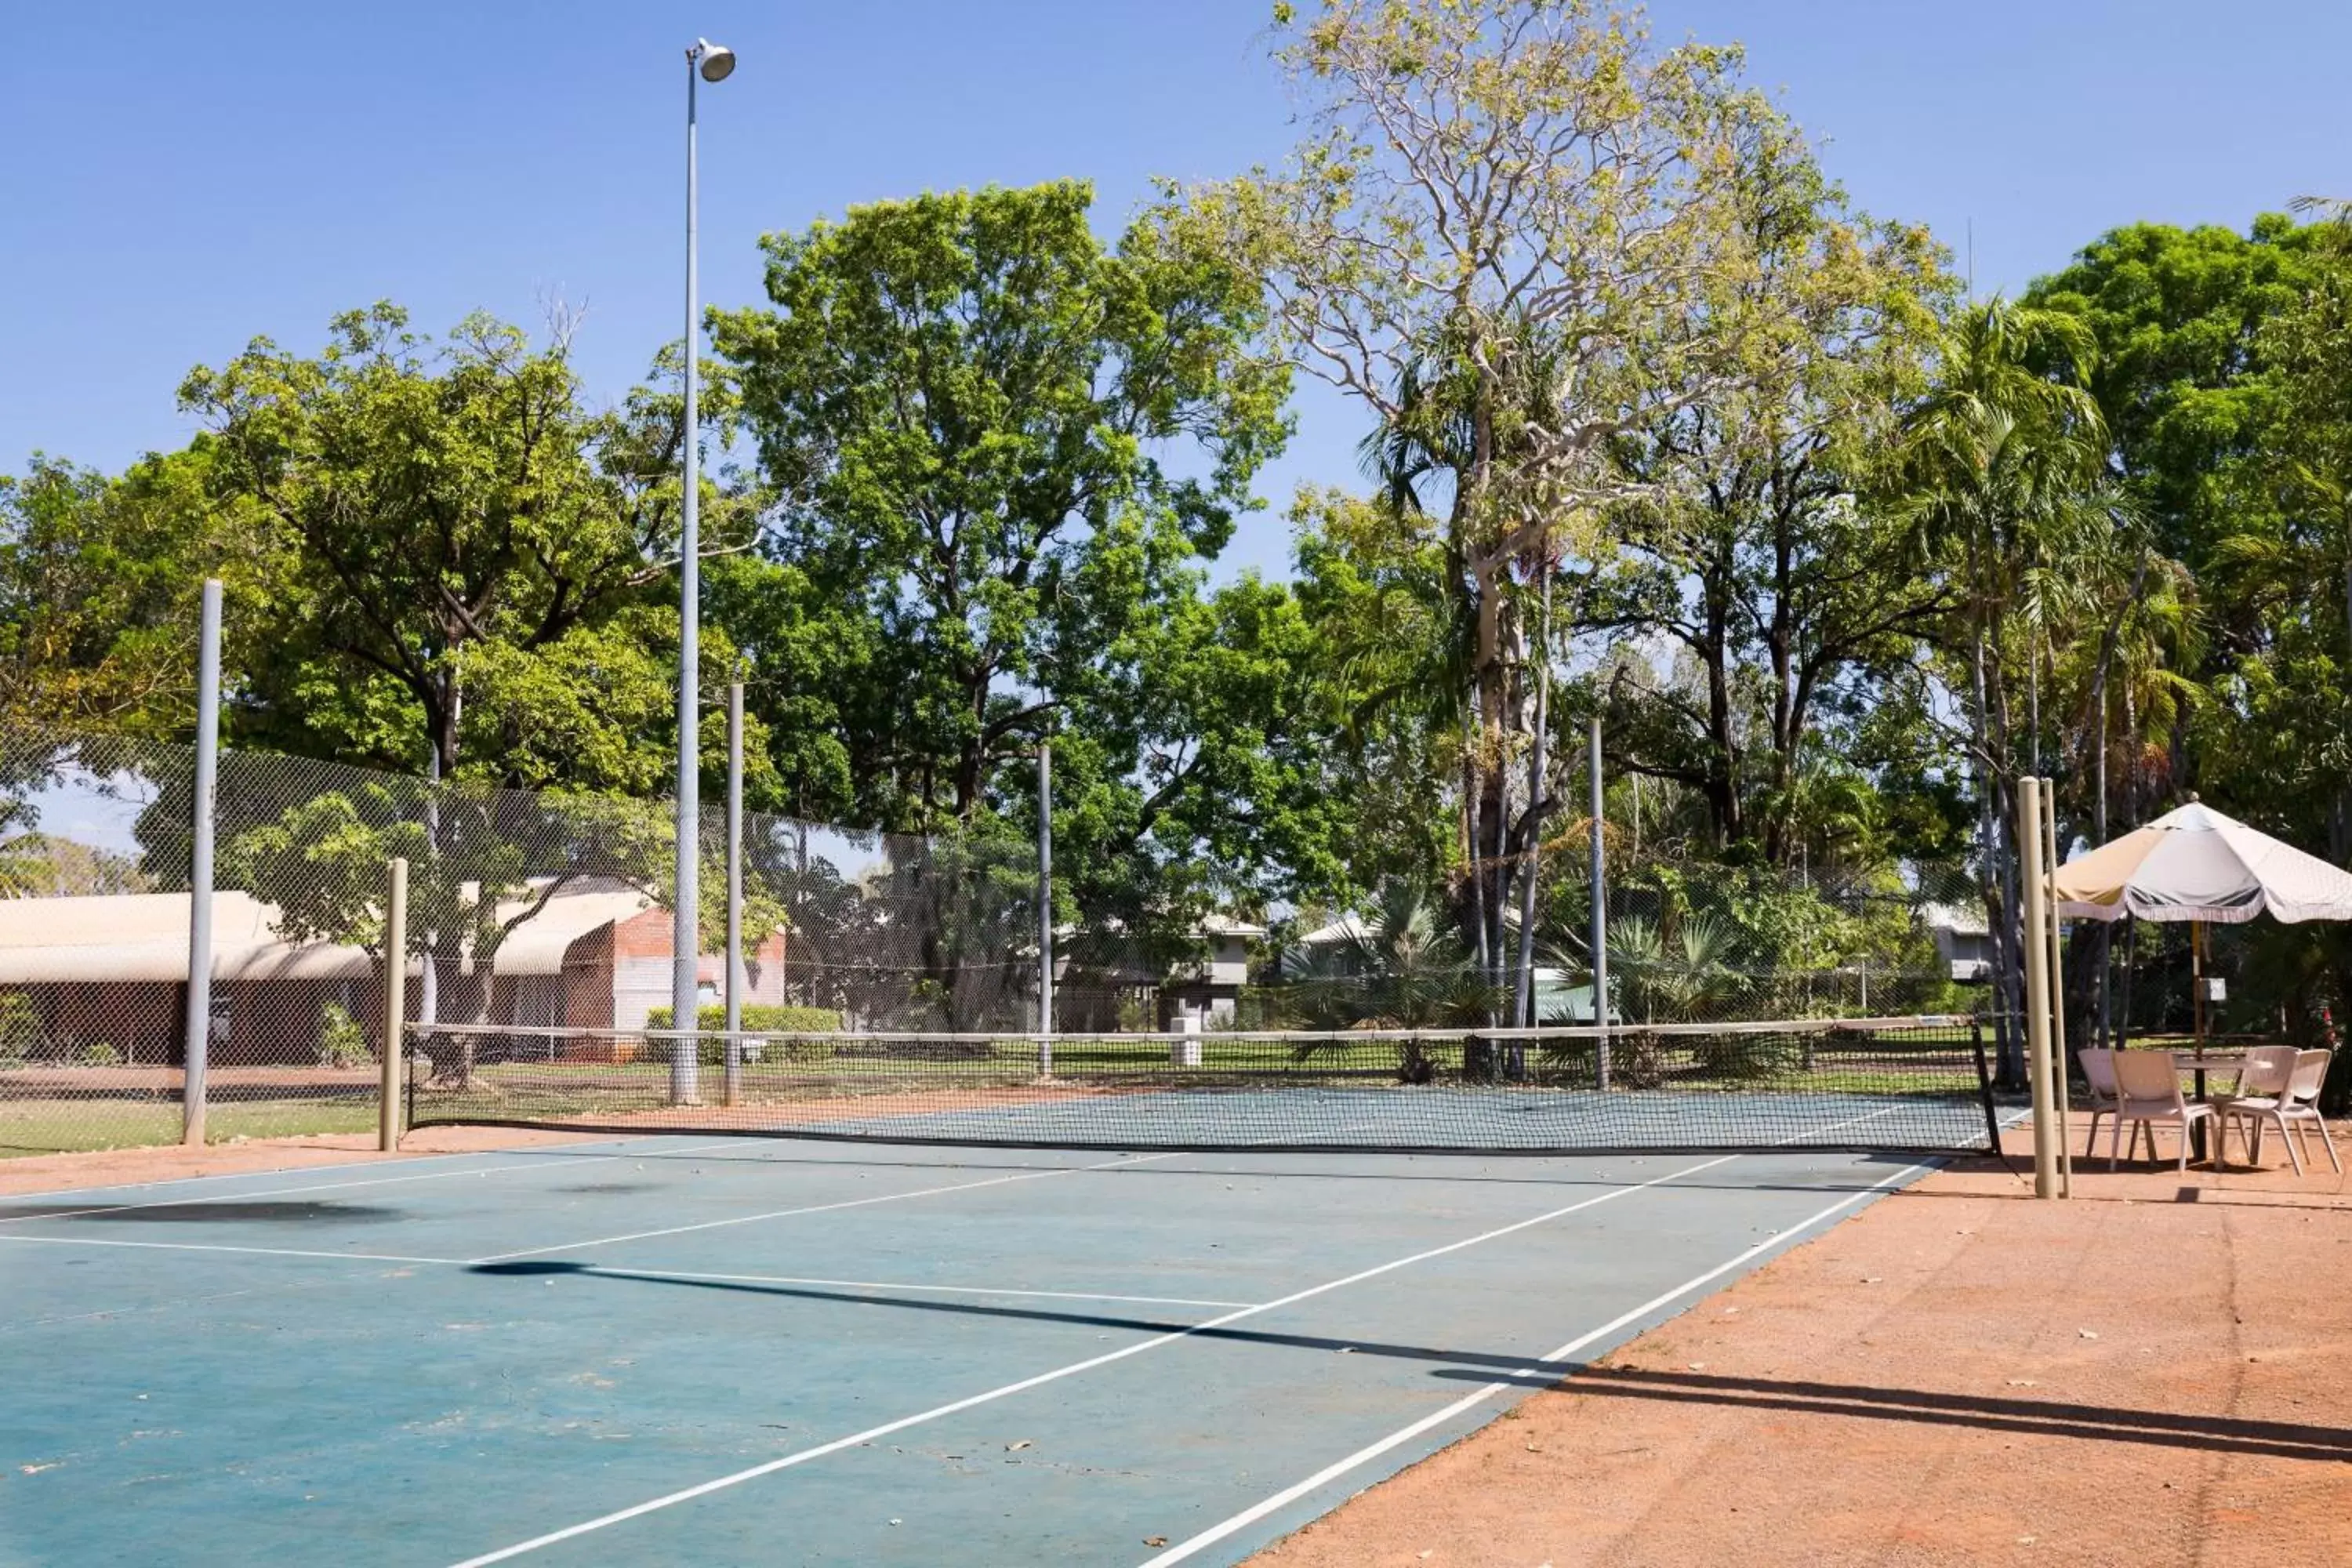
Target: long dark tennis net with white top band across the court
x,y
1913,1085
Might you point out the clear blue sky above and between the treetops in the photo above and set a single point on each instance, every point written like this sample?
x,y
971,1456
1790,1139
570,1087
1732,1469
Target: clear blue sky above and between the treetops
x,y
187,177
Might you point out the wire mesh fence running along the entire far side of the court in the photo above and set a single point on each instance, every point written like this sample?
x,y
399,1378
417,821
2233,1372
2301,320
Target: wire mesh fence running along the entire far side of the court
x,y
540,930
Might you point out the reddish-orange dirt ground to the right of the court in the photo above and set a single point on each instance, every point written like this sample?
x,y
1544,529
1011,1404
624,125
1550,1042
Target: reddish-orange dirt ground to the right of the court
x,y
2156,1374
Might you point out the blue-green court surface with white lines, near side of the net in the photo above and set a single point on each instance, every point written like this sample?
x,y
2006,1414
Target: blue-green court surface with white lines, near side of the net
x,y
676,1351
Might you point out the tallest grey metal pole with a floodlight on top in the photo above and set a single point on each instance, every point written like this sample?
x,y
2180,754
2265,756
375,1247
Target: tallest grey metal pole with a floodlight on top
x,y
707,62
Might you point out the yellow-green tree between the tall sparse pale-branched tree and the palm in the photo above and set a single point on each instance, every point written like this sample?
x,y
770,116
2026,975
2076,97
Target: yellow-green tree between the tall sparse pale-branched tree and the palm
x,y
1765,542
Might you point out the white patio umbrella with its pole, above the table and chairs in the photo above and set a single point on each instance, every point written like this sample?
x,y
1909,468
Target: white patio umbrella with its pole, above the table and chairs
x,y
2200,866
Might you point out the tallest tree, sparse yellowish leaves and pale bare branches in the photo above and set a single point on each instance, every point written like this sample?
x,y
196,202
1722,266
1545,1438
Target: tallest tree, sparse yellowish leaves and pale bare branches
x,y
1511,234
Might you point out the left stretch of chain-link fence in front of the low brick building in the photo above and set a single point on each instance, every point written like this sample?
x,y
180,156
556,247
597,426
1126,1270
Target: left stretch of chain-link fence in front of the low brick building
x,y
526,911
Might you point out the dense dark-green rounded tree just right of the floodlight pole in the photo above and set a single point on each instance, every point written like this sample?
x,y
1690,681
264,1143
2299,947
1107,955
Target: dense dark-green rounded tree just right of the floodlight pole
x,y
994,448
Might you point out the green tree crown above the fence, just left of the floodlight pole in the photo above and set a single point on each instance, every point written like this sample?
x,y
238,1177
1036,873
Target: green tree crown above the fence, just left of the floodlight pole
x,y
476,556
